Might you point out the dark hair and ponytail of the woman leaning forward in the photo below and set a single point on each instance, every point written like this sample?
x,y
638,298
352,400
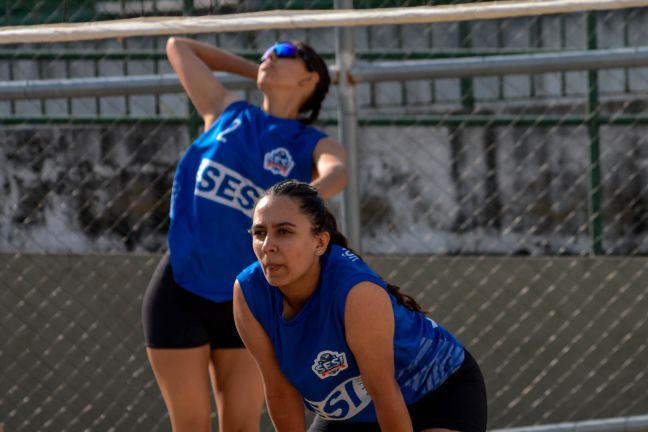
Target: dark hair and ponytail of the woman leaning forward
x,y
313,206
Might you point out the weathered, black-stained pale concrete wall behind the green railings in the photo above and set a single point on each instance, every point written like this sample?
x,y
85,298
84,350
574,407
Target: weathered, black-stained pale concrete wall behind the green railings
x,y
424,189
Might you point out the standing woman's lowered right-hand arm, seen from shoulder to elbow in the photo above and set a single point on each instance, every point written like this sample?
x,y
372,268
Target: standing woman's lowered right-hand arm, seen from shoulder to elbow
x,y
329,158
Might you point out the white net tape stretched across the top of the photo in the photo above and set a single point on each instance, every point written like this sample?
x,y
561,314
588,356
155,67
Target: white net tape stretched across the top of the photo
x,y
281,19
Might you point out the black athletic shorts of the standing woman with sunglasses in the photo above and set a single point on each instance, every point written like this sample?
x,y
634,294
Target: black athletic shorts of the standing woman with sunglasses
x,y
176,318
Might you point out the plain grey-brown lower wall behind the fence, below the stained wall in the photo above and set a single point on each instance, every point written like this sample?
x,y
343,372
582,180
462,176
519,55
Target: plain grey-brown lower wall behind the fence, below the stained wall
x,y
559,339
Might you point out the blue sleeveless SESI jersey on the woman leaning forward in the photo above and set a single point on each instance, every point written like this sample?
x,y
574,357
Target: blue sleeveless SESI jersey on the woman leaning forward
x,y
312,351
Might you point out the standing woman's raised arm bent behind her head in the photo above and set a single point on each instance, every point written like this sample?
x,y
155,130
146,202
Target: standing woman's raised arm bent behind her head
x,y
194,62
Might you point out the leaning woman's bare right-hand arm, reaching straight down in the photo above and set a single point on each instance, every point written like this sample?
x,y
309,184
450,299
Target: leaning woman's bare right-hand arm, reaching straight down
x,y
369,327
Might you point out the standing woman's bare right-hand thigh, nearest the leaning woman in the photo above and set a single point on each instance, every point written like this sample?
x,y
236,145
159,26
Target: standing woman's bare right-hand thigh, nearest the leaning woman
x,y
238,389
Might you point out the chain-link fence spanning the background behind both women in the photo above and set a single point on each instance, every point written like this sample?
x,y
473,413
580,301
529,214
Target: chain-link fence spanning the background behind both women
x,y
514,206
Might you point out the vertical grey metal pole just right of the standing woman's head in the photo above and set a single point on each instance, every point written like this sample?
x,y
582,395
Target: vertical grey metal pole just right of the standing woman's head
x,y
348,125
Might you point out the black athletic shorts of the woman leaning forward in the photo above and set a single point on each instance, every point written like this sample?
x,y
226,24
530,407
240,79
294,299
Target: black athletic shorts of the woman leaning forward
x,y
458,404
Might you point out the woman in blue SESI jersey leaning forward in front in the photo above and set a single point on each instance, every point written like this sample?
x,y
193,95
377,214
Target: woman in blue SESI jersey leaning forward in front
x,y
328,333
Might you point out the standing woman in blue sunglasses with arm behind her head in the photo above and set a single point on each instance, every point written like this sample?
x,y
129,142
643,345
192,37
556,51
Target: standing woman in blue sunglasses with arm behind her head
x,y
187,311
